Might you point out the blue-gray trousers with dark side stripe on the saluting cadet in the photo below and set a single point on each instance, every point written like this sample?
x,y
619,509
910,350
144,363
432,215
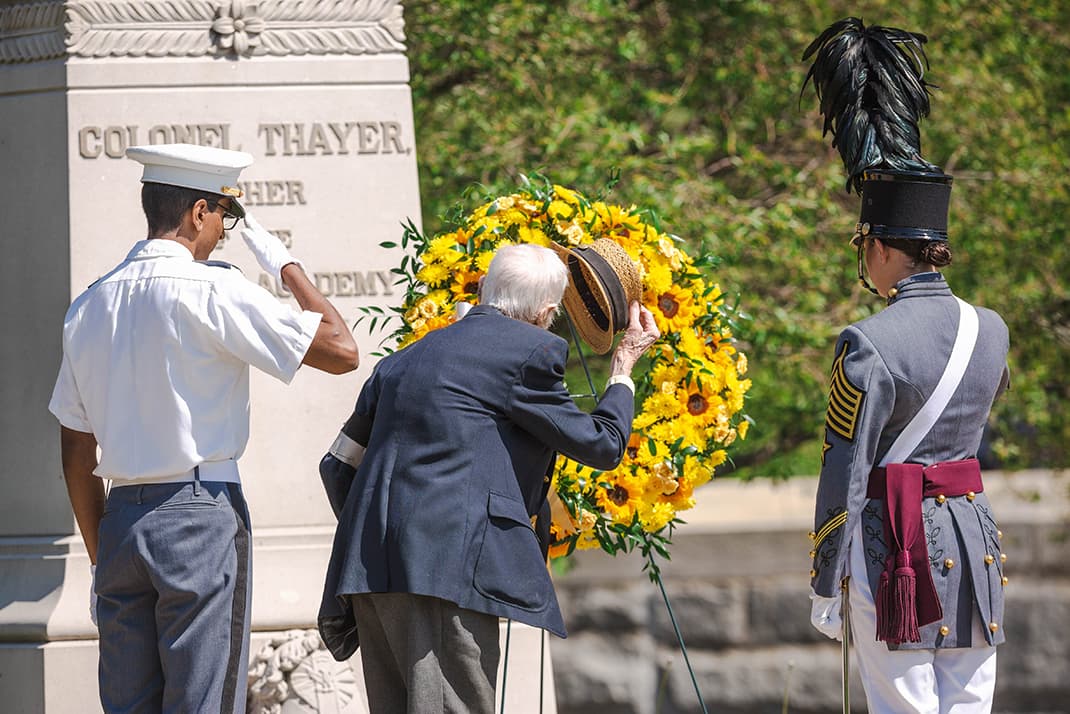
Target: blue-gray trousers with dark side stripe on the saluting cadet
x,y
173,585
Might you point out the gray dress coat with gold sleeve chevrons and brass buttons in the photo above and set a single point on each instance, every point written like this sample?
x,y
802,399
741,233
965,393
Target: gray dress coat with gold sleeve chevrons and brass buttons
x,y
886,368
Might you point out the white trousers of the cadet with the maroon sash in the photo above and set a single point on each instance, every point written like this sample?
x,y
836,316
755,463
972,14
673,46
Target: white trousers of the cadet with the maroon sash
x,y
952,681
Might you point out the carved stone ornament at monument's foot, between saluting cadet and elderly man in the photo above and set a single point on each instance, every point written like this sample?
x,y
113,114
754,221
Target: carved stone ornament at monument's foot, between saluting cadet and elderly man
x,y
296,675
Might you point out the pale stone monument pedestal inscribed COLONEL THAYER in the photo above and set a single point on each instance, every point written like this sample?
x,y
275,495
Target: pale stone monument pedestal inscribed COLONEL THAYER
x,y
318,94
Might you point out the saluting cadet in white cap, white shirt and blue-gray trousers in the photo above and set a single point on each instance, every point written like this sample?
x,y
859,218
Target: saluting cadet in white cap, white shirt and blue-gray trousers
x,y
156,372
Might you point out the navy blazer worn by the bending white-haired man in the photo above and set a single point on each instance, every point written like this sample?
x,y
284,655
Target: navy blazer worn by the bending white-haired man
x,y
461,430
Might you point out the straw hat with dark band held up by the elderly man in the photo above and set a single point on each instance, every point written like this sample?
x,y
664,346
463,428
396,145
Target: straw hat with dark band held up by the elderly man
x,y
603,282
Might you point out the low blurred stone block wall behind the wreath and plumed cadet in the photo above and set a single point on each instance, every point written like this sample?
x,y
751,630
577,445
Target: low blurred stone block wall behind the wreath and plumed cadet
x,y
739,587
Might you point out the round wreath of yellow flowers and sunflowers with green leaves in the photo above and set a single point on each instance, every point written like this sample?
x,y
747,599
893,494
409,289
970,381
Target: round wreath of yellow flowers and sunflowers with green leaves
x,y
691,390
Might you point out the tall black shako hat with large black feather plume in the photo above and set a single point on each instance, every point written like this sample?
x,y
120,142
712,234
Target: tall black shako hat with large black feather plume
x,y
869,82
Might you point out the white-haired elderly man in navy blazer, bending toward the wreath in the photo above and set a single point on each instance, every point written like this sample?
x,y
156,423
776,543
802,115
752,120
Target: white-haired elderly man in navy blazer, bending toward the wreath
x,y
437,480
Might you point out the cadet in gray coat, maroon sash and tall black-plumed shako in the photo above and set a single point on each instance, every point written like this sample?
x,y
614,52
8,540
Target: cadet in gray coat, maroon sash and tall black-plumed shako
x,y
901,519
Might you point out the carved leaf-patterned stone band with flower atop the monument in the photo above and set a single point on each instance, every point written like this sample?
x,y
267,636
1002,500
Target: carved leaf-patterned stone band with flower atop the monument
x,y
198,28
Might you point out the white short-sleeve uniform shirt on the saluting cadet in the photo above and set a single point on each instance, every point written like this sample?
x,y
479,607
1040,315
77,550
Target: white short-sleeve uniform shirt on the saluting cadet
x,y
157,360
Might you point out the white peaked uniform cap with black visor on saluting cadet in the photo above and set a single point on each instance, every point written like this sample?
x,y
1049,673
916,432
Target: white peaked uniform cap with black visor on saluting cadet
x,y
190,166
